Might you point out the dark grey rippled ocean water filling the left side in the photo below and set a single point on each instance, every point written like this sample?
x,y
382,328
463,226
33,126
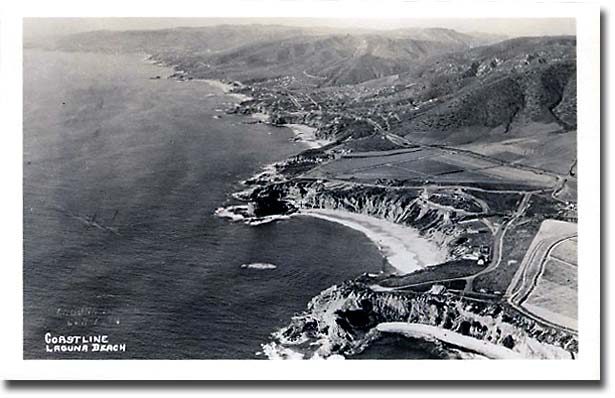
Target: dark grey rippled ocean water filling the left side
x,y
122,174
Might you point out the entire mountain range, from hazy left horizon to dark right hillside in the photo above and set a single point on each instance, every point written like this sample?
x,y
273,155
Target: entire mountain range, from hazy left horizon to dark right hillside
x,y
431,84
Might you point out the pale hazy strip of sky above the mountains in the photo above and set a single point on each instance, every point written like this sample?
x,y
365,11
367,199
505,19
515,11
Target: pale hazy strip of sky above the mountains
x,y
38,27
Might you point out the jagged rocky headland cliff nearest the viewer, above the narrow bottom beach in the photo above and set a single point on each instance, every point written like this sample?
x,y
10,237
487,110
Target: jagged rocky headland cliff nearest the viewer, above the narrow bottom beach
x,y
342,320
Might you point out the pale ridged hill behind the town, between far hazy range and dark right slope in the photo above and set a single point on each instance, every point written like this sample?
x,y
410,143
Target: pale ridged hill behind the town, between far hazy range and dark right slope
x,y
333,59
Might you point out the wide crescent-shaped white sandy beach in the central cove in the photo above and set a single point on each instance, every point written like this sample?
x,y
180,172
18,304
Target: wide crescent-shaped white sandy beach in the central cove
x,y
402,246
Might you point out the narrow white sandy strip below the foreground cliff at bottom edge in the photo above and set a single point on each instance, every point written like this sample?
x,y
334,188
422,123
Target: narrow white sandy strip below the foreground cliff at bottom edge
x,y
420,331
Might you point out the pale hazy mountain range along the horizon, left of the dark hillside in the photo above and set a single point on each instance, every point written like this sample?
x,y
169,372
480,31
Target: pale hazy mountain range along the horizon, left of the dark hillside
x,y
245,52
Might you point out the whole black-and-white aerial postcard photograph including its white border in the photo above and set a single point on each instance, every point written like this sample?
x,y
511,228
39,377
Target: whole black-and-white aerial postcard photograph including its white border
x,y
302,188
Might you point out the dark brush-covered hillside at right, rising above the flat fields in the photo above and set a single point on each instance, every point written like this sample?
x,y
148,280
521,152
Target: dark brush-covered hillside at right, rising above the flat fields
x,y
504,86
